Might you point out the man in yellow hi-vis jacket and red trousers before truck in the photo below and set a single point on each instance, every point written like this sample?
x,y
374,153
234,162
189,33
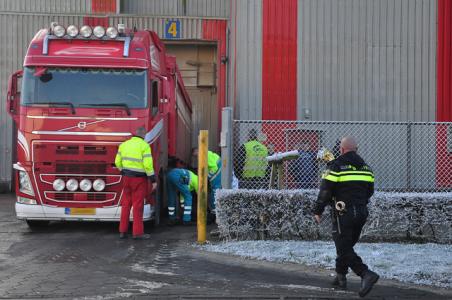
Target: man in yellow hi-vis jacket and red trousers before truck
x,y
134,160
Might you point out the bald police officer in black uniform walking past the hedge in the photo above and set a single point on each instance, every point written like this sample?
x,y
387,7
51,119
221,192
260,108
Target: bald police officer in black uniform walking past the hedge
x,y
347,185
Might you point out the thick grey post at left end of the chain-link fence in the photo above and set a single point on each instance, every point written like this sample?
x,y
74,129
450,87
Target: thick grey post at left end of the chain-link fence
x,y
226,147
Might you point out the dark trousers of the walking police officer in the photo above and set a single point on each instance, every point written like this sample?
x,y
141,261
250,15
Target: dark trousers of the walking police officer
x,y
346,232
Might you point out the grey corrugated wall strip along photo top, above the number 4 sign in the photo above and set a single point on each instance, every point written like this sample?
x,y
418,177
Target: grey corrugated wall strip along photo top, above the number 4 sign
x,y
193,8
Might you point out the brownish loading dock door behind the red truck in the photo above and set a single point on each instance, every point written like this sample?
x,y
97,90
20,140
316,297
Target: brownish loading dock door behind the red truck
x,y
198,69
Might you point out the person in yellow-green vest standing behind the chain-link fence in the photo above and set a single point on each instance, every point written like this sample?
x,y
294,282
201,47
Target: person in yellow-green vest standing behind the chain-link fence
x,y
251,164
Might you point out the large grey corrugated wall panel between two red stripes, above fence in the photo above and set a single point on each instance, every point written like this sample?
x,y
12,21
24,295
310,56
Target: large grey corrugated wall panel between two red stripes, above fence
x,y
367,60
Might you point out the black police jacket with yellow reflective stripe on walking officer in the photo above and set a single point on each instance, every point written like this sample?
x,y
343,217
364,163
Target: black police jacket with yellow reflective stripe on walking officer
x,y
347,179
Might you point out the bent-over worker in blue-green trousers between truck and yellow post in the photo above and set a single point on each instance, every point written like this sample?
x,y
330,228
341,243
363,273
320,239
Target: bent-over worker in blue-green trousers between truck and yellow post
x,y
185,182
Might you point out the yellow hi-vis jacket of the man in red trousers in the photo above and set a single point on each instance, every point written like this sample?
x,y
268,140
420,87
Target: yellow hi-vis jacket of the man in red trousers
x,y
134,158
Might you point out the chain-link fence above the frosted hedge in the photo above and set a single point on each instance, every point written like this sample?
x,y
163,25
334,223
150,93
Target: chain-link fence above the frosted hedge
x,y
405,157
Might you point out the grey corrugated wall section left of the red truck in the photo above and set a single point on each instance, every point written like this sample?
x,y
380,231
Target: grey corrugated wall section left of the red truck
x,y
22,28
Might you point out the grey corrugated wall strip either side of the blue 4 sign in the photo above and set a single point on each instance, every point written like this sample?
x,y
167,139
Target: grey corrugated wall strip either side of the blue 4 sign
x,y
191,28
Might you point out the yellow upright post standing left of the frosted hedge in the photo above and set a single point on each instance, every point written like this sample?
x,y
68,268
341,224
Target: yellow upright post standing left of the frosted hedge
x,y
202,185
